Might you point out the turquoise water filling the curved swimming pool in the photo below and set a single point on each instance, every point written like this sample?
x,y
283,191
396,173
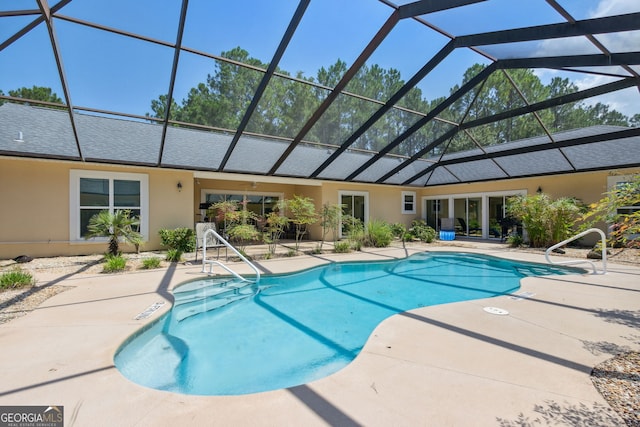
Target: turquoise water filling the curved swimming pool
x,y
225,337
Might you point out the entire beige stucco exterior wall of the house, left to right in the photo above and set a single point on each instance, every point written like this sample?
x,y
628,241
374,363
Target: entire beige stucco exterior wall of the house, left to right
x,y
35,199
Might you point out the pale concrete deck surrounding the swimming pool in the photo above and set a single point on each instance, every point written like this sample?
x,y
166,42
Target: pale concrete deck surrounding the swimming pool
x,y
446,365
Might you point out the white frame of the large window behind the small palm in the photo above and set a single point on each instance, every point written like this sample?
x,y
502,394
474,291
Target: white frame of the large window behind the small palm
x,y
74,200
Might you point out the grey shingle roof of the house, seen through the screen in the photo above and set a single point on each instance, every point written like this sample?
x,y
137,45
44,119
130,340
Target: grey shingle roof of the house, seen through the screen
x,y
46,133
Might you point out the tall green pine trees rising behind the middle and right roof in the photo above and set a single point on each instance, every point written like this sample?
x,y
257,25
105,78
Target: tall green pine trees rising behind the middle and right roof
x,y
221,101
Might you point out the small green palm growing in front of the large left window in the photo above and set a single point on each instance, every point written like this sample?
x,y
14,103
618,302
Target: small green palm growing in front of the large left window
x,y
115,226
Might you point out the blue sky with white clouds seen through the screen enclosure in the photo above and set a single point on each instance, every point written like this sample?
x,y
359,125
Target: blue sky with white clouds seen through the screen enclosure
x,y
112,72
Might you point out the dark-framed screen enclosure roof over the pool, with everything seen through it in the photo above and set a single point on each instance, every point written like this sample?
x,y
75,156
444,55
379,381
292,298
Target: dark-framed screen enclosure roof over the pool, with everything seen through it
x,y
402,93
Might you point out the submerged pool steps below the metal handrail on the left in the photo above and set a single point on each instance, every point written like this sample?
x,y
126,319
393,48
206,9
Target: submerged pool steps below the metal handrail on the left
x,y
209,296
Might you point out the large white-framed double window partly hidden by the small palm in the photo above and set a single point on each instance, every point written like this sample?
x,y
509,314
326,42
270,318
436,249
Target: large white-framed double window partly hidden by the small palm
x,y
94,191
